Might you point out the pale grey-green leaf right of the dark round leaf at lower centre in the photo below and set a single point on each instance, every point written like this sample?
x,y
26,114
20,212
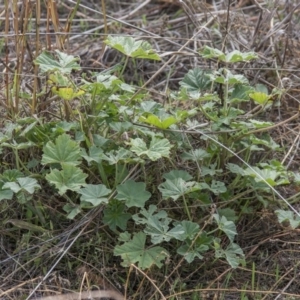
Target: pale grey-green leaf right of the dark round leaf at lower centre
x,y
176,188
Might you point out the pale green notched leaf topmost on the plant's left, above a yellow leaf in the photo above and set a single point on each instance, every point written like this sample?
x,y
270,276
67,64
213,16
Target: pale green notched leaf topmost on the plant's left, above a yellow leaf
x,y
66,64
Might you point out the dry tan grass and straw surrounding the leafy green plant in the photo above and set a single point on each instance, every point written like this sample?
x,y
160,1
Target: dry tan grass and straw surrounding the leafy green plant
x,y
176,29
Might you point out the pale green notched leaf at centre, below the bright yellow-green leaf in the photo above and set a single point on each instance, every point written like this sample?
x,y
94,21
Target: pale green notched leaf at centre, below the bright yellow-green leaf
x,y
158,148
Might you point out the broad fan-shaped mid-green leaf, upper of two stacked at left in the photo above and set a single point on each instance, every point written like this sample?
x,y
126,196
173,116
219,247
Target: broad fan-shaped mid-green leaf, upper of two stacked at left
x,y
63,151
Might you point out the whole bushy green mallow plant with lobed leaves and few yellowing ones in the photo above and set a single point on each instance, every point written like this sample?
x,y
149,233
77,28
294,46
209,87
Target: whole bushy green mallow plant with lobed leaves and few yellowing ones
x,y
138,158
